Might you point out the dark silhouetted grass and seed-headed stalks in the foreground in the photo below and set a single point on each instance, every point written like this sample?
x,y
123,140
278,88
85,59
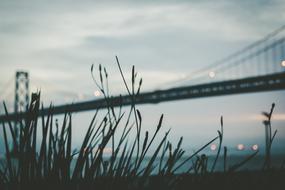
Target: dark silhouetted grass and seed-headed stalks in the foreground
x,y
47,160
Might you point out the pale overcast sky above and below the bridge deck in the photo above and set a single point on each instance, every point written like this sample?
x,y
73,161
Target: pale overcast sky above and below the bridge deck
x,y
56,41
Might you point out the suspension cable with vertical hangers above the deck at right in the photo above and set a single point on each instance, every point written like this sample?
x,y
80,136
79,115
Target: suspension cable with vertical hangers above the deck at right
x,y
270,44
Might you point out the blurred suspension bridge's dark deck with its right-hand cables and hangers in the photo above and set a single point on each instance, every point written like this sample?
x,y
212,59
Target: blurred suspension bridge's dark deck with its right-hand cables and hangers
x,y
258,67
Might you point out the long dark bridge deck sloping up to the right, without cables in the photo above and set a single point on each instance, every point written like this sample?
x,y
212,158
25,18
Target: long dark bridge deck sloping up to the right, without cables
x,y
246,85
